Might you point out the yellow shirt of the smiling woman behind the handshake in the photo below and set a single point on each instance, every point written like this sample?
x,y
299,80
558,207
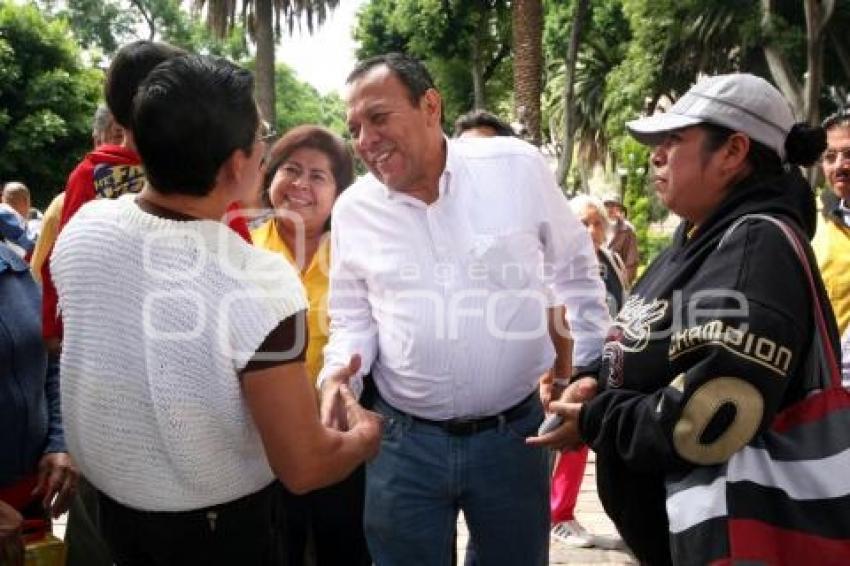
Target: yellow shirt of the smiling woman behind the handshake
x,y
315,281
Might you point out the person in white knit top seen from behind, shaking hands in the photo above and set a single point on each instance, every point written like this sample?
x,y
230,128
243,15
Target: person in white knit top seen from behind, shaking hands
x,y
184,391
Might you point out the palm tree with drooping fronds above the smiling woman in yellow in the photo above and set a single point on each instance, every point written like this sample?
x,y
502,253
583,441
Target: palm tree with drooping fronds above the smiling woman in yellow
x,y
262,19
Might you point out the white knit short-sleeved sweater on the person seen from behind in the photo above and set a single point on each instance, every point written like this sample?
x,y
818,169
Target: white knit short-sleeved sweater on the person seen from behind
x,y
159,316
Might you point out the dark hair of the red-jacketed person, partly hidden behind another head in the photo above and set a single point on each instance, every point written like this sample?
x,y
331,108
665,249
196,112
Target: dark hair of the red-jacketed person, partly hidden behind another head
x,y
132,63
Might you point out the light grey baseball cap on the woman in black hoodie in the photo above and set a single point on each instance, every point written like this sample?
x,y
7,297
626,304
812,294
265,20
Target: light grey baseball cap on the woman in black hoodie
x,y
741,102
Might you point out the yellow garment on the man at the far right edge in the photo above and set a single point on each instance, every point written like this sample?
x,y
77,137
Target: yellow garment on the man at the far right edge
x,y
831,245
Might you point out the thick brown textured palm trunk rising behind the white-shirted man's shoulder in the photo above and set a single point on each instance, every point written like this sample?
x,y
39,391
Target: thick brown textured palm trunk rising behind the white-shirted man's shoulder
x,y
527,22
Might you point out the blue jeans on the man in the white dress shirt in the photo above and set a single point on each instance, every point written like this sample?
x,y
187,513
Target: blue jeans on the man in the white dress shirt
x,y
423,476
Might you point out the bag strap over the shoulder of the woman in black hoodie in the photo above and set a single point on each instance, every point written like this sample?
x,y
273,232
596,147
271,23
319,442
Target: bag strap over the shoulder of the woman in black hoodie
x,y
829,370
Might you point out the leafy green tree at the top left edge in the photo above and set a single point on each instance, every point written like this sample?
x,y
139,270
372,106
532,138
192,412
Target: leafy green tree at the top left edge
x,y
47,100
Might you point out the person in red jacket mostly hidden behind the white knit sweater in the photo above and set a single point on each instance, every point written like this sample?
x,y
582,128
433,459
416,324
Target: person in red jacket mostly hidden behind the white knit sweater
x,y
110,171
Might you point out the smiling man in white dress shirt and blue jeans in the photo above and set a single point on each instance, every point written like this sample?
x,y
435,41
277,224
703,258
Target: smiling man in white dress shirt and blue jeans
x,y
446,259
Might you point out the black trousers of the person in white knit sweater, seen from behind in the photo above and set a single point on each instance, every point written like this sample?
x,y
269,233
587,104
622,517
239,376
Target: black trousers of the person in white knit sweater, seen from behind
x,y
244,531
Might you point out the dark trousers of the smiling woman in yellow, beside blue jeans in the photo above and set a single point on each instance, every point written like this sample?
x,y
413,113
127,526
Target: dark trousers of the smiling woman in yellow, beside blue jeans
x,y
326,525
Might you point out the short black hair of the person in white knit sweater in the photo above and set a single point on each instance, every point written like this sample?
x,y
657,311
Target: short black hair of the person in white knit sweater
x,y
190,114
